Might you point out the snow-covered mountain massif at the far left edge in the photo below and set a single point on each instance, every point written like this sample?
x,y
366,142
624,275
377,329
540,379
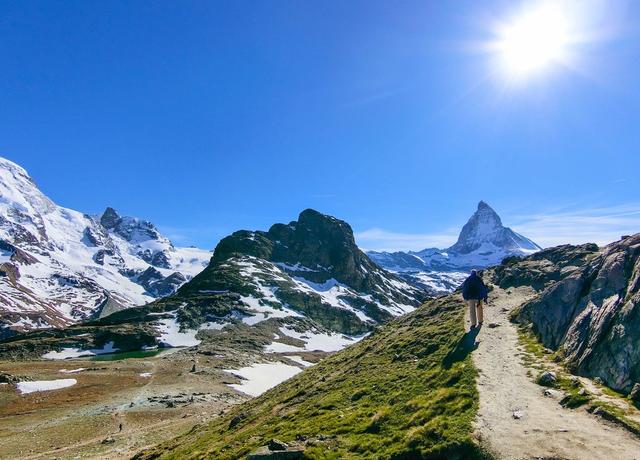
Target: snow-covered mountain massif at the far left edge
x,y
59,266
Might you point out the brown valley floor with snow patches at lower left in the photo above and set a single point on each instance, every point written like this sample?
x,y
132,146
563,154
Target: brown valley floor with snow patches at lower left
x,y
123,402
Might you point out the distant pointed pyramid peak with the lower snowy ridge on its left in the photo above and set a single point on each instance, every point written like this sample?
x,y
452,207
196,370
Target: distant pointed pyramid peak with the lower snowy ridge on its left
x,y
483,242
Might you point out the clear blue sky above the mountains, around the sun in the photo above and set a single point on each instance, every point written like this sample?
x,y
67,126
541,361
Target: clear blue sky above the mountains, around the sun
x,y
207,117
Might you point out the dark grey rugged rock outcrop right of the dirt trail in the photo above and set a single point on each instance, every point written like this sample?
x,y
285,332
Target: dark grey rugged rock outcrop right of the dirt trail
x,y
588,306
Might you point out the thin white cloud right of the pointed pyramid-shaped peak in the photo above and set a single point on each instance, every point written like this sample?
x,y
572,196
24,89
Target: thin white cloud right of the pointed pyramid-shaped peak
x,y
599,225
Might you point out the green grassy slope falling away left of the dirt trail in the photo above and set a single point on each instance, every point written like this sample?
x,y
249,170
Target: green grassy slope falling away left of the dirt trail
x,y
407,391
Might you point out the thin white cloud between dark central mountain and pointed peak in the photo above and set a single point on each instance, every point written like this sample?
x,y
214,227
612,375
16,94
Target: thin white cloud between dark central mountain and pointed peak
x,y
377,239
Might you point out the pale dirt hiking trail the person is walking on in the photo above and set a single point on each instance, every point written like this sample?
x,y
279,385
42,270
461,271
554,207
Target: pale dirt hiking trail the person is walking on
x,y
516,420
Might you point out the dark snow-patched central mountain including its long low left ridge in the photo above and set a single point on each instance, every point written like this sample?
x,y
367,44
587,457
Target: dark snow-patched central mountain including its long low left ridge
x,y
301,286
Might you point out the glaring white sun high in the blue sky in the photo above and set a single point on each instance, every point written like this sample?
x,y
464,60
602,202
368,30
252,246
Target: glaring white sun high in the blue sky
x,y
533,41
